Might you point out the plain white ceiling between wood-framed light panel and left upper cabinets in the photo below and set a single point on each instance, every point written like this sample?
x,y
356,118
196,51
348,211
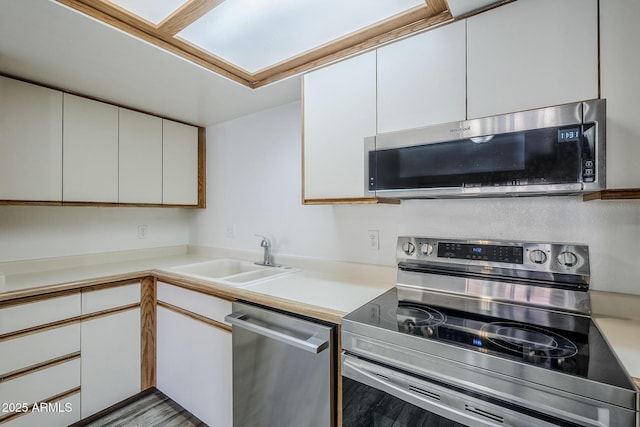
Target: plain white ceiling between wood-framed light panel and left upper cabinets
x,y
46,42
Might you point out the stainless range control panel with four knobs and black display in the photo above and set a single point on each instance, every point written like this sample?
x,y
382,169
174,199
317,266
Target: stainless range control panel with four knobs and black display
x,y
535,256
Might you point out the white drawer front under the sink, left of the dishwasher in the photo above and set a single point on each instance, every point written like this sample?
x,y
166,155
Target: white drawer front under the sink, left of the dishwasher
x,y
205,305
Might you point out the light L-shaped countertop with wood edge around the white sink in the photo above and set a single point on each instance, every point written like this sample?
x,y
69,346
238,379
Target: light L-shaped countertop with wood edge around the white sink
x,y
303,291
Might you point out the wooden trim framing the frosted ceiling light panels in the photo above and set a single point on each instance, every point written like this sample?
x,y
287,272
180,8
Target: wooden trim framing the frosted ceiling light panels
x,y
433,13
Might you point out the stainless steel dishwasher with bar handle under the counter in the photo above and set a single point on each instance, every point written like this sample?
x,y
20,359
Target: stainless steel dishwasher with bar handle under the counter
x,y
283,369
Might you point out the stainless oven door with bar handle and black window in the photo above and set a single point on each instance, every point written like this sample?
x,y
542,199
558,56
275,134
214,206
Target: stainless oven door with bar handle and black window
x,y
374,396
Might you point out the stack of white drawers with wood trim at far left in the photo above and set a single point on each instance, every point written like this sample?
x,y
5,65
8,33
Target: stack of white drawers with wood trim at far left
x,y
36,367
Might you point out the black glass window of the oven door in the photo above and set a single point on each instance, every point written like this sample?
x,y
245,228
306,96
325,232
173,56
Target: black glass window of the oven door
x,y
365,406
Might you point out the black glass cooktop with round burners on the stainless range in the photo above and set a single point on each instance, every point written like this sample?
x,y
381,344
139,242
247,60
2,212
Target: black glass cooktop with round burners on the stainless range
x,y
576,347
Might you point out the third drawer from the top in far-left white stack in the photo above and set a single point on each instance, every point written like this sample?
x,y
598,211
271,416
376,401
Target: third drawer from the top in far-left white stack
x,y
43,384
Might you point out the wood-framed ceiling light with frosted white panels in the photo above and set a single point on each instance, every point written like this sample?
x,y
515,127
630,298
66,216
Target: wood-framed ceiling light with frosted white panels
x,y
256,42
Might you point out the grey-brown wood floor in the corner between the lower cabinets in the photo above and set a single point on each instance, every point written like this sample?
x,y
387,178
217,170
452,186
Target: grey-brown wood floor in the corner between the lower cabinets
x,y
148,409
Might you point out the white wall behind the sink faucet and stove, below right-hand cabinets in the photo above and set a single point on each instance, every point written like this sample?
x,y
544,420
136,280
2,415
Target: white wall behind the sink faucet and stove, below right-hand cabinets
x,y
253,185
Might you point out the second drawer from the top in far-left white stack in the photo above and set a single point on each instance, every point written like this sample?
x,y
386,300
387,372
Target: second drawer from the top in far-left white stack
x,y
22,352
